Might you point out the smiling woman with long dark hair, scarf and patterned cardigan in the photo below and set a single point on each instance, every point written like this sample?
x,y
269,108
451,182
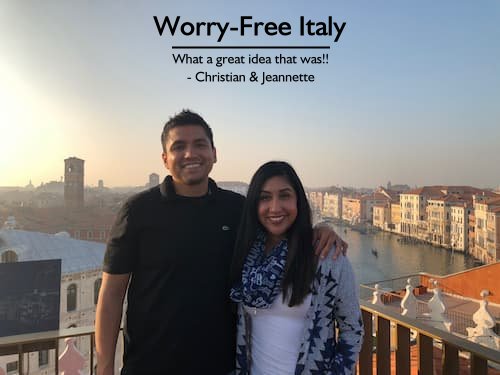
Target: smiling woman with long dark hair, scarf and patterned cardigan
x,y
289,304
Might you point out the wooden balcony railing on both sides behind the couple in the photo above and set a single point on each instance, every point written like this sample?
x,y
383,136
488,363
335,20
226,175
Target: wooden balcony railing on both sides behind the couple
x,y
387,344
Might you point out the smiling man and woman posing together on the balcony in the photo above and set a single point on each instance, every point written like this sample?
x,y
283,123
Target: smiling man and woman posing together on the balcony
x,y
172,248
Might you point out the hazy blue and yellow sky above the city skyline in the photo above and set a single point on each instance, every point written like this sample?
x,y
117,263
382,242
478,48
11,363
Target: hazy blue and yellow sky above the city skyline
x,y
410,93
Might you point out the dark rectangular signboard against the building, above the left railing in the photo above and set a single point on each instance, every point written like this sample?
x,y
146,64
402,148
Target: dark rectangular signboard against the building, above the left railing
x,y
29,296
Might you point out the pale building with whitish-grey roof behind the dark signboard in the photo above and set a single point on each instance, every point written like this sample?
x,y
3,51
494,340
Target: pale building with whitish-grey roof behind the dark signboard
x,y
81,278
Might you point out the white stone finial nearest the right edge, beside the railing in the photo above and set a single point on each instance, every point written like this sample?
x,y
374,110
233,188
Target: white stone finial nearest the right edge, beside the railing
x,y
483,332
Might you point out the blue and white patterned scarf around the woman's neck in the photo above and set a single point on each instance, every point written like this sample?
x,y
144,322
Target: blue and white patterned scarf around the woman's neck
x,y
261,275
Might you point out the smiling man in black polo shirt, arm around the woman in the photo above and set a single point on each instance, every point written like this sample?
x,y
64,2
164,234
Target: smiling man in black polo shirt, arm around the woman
x,y
172,247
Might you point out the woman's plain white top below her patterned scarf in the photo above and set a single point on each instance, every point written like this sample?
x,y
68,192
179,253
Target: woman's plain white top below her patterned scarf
x,y
276,336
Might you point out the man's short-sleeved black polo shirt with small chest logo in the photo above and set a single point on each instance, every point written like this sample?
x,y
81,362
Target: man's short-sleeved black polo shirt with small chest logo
x,y
179,251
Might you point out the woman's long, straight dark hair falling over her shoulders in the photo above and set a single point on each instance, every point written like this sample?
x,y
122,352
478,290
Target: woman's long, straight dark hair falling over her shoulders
x,y
301,262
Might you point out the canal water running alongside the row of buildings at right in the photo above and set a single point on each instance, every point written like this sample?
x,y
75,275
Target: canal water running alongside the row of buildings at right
x,y
395,259
